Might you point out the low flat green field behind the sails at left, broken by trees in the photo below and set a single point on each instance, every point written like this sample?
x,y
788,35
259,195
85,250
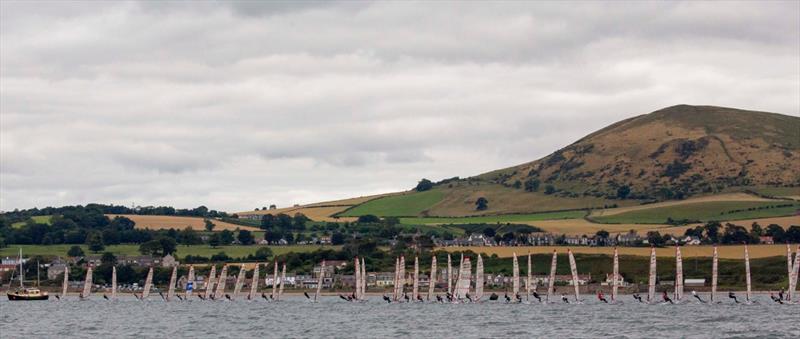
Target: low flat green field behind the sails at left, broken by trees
x,y
201,250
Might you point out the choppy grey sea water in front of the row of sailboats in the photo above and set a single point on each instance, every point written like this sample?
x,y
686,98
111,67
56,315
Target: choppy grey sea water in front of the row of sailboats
x,y
335,318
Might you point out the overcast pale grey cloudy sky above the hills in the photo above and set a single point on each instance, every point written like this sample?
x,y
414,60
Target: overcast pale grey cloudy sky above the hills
x,y
237,105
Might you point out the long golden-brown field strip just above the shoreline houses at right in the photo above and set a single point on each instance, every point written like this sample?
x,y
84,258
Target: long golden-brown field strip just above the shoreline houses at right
x,y
726,252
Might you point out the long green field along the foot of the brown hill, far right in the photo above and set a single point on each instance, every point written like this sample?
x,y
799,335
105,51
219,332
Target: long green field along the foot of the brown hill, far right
x,y
704,211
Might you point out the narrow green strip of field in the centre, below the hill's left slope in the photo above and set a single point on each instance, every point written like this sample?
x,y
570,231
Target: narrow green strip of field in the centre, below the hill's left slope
x,y
491,219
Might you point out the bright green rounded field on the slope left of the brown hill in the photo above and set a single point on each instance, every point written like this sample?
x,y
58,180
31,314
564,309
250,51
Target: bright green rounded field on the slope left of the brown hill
x,y
398,205
